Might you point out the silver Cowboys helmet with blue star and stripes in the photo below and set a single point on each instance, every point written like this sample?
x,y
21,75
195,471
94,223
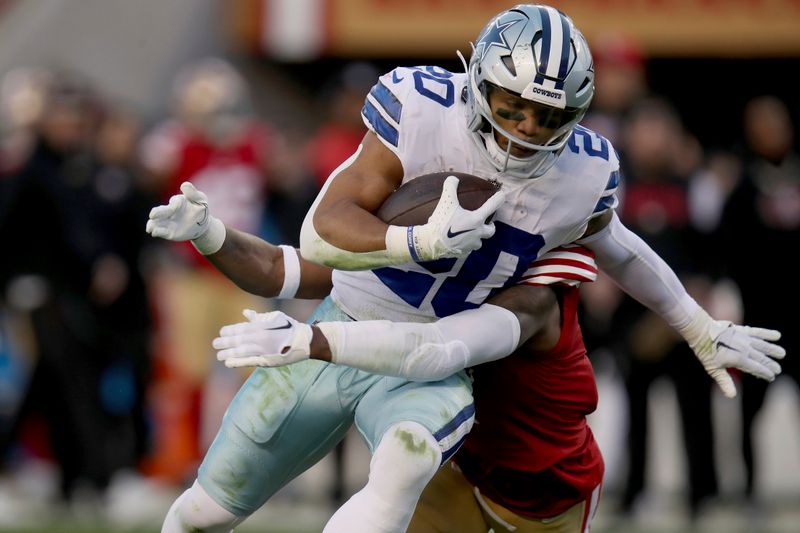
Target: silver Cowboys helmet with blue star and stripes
x,y
534,52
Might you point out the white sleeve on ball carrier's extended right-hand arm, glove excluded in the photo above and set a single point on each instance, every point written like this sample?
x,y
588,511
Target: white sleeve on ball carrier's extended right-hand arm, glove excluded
x,y
642,273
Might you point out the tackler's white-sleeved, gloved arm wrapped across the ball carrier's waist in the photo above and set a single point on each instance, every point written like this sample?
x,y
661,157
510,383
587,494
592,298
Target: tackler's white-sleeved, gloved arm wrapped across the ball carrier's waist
x,y
421,352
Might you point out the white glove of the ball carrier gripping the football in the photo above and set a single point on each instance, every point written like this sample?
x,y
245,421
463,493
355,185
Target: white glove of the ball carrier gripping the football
x,y
451,230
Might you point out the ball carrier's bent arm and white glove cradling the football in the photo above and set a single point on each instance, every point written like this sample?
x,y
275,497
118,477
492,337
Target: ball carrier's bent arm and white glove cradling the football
x,y
342,231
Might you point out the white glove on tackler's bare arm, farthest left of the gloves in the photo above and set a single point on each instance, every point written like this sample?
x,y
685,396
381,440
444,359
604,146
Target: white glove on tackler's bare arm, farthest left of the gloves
x,y
187,217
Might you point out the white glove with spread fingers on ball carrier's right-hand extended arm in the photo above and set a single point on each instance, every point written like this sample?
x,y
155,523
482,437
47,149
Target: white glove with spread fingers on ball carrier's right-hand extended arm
x,y
720,344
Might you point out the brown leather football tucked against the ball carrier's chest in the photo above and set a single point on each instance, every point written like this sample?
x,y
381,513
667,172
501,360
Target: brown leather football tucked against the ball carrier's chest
x,y
414,201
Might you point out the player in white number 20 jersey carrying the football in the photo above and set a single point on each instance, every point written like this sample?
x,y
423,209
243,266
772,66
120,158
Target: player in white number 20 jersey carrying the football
x,y
527,85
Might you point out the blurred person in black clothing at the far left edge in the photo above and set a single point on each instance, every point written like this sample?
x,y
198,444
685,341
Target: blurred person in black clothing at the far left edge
x,y
47,280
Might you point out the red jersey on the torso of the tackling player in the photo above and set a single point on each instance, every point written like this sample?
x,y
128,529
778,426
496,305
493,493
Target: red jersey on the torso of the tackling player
x,y
531,448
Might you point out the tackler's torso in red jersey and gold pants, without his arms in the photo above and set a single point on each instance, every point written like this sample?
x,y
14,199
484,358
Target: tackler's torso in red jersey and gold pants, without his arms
x,y
530,463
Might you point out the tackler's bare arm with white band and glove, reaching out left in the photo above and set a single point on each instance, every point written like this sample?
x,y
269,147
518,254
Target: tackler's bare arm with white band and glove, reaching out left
x,y
252,263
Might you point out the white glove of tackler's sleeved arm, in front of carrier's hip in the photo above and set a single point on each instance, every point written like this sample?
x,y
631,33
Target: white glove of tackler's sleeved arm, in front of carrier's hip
x,y
266,339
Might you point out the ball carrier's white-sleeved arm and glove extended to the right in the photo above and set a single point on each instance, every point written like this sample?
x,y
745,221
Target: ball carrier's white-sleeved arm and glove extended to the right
x,y
719,345
